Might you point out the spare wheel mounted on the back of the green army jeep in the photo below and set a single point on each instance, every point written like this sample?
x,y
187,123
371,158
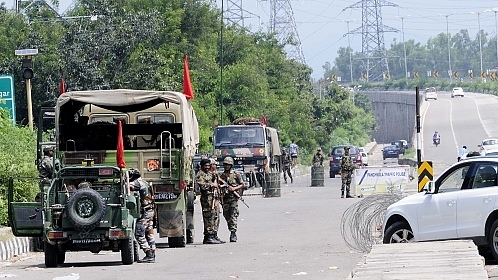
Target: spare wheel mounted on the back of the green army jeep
x,y
85,208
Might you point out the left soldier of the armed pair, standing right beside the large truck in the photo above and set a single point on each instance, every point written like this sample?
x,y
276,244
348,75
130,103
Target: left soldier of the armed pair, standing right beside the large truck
x,y
207,183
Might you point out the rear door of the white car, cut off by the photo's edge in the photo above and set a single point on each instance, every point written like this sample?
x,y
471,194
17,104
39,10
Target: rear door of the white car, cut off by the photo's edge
x,y
478,200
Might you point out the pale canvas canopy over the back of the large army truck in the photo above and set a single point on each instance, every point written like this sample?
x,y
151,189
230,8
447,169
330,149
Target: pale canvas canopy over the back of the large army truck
x,y
127,100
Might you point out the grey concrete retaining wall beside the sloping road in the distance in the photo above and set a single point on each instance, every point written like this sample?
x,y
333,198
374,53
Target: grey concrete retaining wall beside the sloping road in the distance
x,y
395,112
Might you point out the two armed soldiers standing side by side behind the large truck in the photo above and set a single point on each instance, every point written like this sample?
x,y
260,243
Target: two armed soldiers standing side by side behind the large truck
x,y
219,189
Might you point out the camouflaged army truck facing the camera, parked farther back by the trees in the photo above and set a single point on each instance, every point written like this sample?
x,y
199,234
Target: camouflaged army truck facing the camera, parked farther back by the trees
x,y
255,148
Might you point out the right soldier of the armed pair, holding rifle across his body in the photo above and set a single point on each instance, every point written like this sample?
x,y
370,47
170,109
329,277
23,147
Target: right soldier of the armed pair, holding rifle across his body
x,y
234,183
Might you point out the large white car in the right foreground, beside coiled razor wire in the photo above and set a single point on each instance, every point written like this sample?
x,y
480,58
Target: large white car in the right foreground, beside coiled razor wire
x,y
461,204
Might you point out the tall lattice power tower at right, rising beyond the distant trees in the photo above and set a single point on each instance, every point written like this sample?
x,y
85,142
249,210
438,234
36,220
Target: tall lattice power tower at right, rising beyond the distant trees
x,y
372,31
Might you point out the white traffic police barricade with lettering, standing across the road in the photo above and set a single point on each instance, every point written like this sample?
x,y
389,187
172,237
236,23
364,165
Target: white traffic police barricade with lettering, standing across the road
x,y
381,179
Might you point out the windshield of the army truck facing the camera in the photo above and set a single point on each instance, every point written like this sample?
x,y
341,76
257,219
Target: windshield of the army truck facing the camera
x,y
232,136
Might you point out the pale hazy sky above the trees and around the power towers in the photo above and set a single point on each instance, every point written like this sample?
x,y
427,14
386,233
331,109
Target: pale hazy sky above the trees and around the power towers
x,y
322,24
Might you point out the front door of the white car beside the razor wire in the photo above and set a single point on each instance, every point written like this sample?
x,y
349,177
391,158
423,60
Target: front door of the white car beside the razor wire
x,y
437,215
